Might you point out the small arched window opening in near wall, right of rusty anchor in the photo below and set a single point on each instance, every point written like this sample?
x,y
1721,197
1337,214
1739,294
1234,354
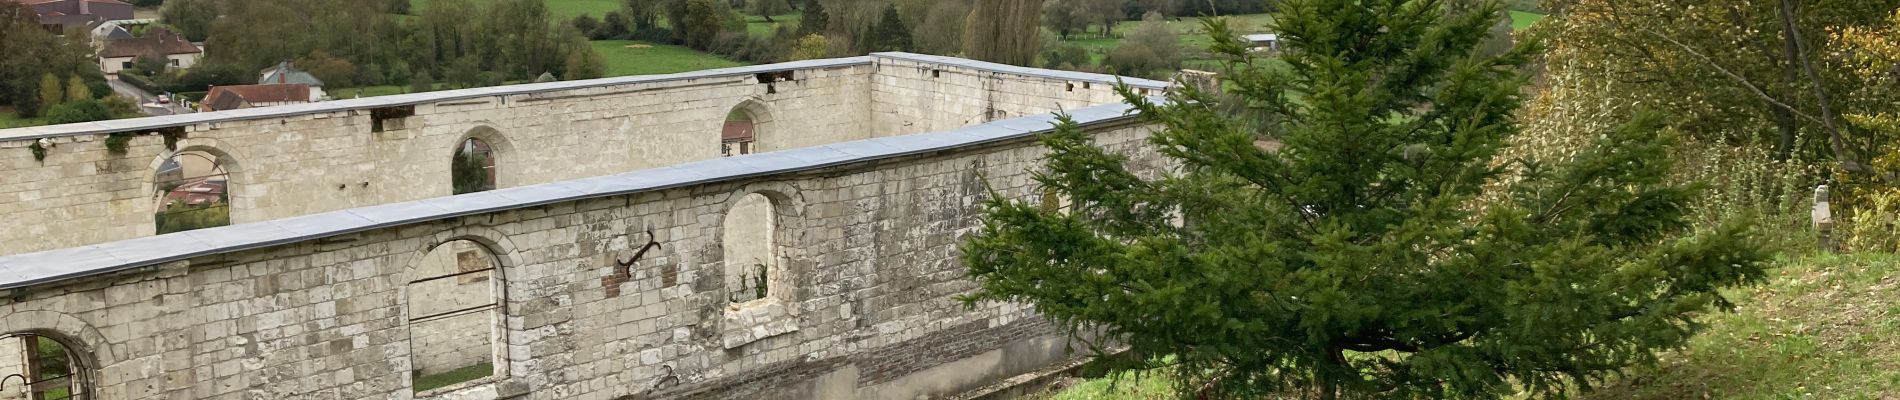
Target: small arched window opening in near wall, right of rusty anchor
x,y
751,266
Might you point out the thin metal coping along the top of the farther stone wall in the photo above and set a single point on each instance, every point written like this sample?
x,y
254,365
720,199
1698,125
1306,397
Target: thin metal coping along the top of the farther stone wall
x,y
413,100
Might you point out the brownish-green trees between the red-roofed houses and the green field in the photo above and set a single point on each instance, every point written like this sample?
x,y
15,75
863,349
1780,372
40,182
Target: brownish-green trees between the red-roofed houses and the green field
x,y
377,43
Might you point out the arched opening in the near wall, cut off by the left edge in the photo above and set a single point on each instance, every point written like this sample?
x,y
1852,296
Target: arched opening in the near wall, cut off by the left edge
x,y
41,369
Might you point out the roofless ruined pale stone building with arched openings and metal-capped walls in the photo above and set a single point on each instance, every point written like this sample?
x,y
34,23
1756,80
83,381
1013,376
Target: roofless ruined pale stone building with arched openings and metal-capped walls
x,y
759,232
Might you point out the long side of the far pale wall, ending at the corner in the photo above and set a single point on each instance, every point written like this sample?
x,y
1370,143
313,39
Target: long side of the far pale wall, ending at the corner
x,y
332,160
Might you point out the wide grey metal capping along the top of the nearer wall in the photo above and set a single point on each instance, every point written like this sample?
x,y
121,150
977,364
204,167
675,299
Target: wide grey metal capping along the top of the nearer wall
x,y
52,266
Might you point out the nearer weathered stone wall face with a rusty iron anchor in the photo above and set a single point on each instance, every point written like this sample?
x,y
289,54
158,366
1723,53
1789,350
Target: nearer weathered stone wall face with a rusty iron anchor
x,y
869,268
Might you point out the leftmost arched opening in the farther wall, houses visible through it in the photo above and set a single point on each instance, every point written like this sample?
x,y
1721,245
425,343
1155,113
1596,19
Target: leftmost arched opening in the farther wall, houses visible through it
x,y
191,192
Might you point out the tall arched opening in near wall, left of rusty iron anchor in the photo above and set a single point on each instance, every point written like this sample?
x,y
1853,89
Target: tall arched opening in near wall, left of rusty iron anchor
x,y
455,316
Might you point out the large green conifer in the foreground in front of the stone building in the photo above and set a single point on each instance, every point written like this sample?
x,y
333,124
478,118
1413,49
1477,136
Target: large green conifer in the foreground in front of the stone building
x,y
1382,251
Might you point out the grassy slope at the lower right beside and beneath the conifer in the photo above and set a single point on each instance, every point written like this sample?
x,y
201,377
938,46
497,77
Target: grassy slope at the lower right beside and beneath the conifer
x,y
1821,327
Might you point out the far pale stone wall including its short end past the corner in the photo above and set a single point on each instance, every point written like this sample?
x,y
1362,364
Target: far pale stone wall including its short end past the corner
x,y
330,156
